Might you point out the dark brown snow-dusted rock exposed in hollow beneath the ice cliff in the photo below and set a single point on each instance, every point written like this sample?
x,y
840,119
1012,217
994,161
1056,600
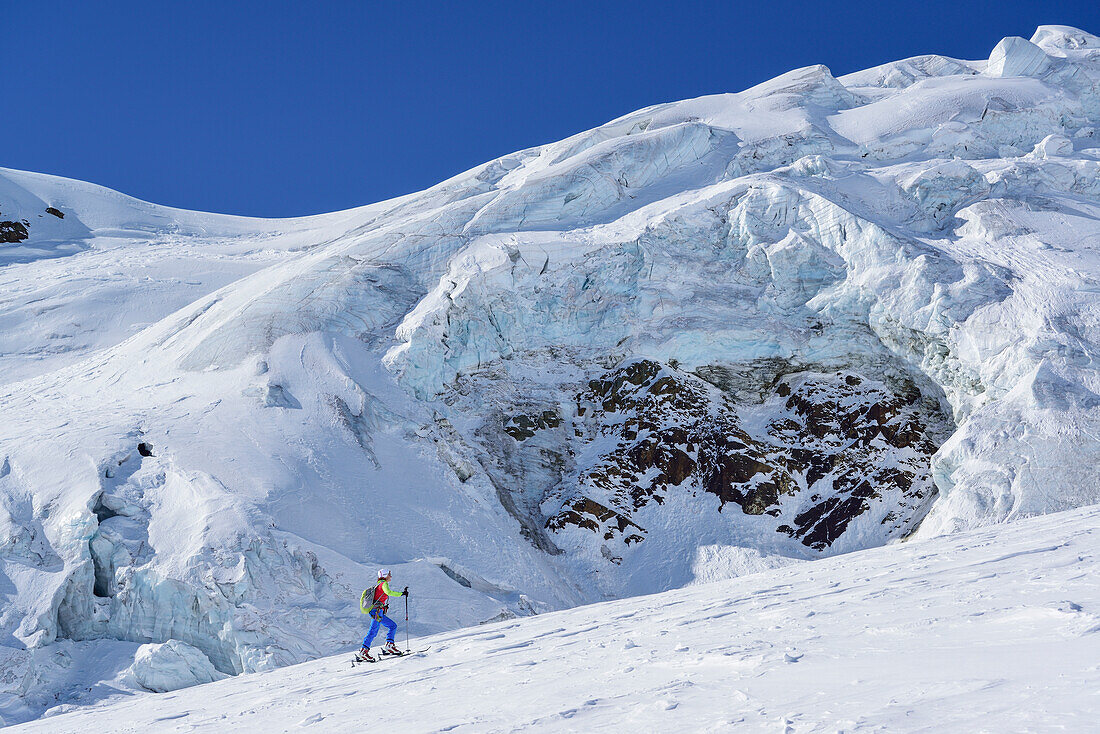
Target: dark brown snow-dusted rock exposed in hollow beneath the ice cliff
x,y
838,445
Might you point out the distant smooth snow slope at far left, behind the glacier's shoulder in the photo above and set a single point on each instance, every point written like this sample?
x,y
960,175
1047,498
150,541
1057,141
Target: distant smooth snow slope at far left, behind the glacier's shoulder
x,y
111,266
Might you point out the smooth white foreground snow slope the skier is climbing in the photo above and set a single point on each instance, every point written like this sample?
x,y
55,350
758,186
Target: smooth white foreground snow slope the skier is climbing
x,y
987,631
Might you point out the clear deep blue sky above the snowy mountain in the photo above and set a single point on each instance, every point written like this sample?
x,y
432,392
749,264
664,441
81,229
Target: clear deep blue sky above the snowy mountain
x,y
283,108
